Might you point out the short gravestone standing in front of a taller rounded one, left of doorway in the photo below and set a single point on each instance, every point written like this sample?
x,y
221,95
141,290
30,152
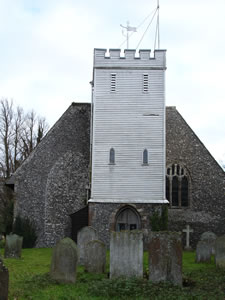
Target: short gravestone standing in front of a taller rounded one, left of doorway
x,y
95,257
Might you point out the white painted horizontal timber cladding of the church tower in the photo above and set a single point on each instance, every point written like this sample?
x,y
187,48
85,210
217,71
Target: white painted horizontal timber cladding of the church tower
x,y
128,120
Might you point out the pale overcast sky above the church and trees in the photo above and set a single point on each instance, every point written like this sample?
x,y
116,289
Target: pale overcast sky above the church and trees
x,y
46,55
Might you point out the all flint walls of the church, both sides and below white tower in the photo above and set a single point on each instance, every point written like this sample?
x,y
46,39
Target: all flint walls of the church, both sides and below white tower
x,y
51,183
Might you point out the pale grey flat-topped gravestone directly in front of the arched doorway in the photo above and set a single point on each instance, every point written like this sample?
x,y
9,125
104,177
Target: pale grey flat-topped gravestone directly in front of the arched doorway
x,y
126,254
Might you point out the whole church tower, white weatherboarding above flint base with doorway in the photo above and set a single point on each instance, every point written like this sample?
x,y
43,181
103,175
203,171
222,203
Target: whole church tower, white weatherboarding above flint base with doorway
x,y
128,140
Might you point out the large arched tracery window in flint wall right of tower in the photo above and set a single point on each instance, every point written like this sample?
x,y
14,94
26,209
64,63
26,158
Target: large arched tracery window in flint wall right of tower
x,y
177,186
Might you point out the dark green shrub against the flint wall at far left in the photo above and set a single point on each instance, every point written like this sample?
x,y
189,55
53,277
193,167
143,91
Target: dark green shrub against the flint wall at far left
x,y
25,228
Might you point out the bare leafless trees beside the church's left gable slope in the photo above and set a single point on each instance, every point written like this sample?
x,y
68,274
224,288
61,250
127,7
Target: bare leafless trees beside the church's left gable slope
x,y
19,135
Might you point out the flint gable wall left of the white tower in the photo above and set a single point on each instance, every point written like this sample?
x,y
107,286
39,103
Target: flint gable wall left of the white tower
x,y
51,183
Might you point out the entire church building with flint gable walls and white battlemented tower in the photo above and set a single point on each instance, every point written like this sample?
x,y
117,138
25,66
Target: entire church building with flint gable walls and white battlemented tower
x,y
112,163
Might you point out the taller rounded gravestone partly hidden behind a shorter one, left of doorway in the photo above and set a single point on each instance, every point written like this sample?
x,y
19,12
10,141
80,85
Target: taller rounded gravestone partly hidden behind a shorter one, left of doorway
x,y
85,235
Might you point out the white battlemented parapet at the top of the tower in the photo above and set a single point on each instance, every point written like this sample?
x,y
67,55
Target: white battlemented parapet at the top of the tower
x,y
130,58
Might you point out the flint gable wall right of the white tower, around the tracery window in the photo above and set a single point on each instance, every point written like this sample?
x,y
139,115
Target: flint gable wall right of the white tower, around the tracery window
x,y
206,211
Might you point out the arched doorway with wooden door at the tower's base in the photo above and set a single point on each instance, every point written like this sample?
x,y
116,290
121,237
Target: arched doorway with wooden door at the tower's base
x,y
127,219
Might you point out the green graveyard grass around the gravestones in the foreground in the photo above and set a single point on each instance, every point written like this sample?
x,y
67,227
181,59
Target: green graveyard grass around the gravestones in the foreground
x,y
29,279
